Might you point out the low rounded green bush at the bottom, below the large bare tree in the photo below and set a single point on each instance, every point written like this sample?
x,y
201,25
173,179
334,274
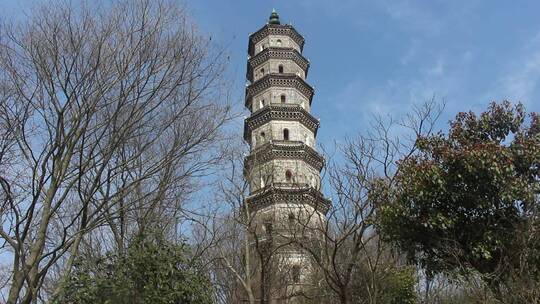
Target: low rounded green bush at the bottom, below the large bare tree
x,y
152,271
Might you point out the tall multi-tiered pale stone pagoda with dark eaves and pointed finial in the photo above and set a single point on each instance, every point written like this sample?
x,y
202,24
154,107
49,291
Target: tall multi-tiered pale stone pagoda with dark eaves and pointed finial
x,y
283,167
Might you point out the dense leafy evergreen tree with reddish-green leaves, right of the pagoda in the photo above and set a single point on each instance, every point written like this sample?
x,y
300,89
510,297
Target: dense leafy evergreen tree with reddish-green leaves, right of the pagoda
x,y
458,204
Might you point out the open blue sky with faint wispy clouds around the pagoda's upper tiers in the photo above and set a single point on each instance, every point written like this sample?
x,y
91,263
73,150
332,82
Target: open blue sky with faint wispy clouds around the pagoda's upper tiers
x,y
380,57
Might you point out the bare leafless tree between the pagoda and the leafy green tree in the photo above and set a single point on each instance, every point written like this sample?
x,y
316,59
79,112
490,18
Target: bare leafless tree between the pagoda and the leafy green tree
x,y
350,256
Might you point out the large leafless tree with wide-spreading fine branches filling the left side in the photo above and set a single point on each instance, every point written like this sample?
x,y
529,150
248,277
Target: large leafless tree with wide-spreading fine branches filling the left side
x,y
106,114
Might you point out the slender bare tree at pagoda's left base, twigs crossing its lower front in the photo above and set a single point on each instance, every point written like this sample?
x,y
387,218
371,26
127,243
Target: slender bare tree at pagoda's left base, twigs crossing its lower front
x,y
242,255
